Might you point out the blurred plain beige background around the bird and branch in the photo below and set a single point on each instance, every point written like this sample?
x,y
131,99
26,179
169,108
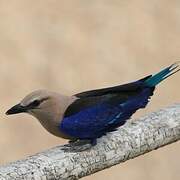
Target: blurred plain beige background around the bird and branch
x,y
71,46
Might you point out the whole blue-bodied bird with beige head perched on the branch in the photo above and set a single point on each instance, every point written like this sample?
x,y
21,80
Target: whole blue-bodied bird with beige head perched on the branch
x,y
91,114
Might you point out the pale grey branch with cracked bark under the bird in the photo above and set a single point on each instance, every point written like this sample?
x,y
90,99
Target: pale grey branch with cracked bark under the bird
x,y
133,139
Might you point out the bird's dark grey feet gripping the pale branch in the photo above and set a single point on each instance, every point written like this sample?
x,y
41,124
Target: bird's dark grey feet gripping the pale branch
x,y
79,145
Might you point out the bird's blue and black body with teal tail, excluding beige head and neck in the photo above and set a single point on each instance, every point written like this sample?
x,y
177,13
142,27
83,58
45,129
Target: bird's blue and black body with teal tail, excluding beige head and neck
x,y
97,112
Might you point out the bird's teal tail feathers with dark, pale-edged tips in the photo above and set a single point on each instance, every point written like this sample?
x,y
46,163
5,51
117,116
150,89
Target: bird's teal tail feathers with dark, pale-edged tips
x,y
162,75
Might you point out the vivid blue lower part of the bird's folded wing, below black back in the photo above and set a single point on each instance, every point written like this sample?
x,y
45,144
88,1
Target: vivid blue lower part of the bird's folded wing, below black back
x,y
97,120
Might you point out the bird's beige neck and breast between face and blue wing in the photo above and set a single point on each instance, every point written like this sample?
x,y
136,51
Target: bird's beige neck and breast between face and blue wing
x,y
51,113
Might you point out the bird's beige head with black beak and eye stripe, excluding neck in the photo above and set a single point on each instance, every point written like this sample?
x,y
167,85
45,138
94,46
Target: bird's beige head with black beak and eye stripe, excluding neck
x,y
40,104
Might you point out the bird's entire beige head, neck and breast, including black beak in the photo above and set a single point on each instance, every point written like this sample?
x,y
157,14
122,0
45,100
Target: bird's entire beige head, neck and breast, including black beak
x,y
47,107
